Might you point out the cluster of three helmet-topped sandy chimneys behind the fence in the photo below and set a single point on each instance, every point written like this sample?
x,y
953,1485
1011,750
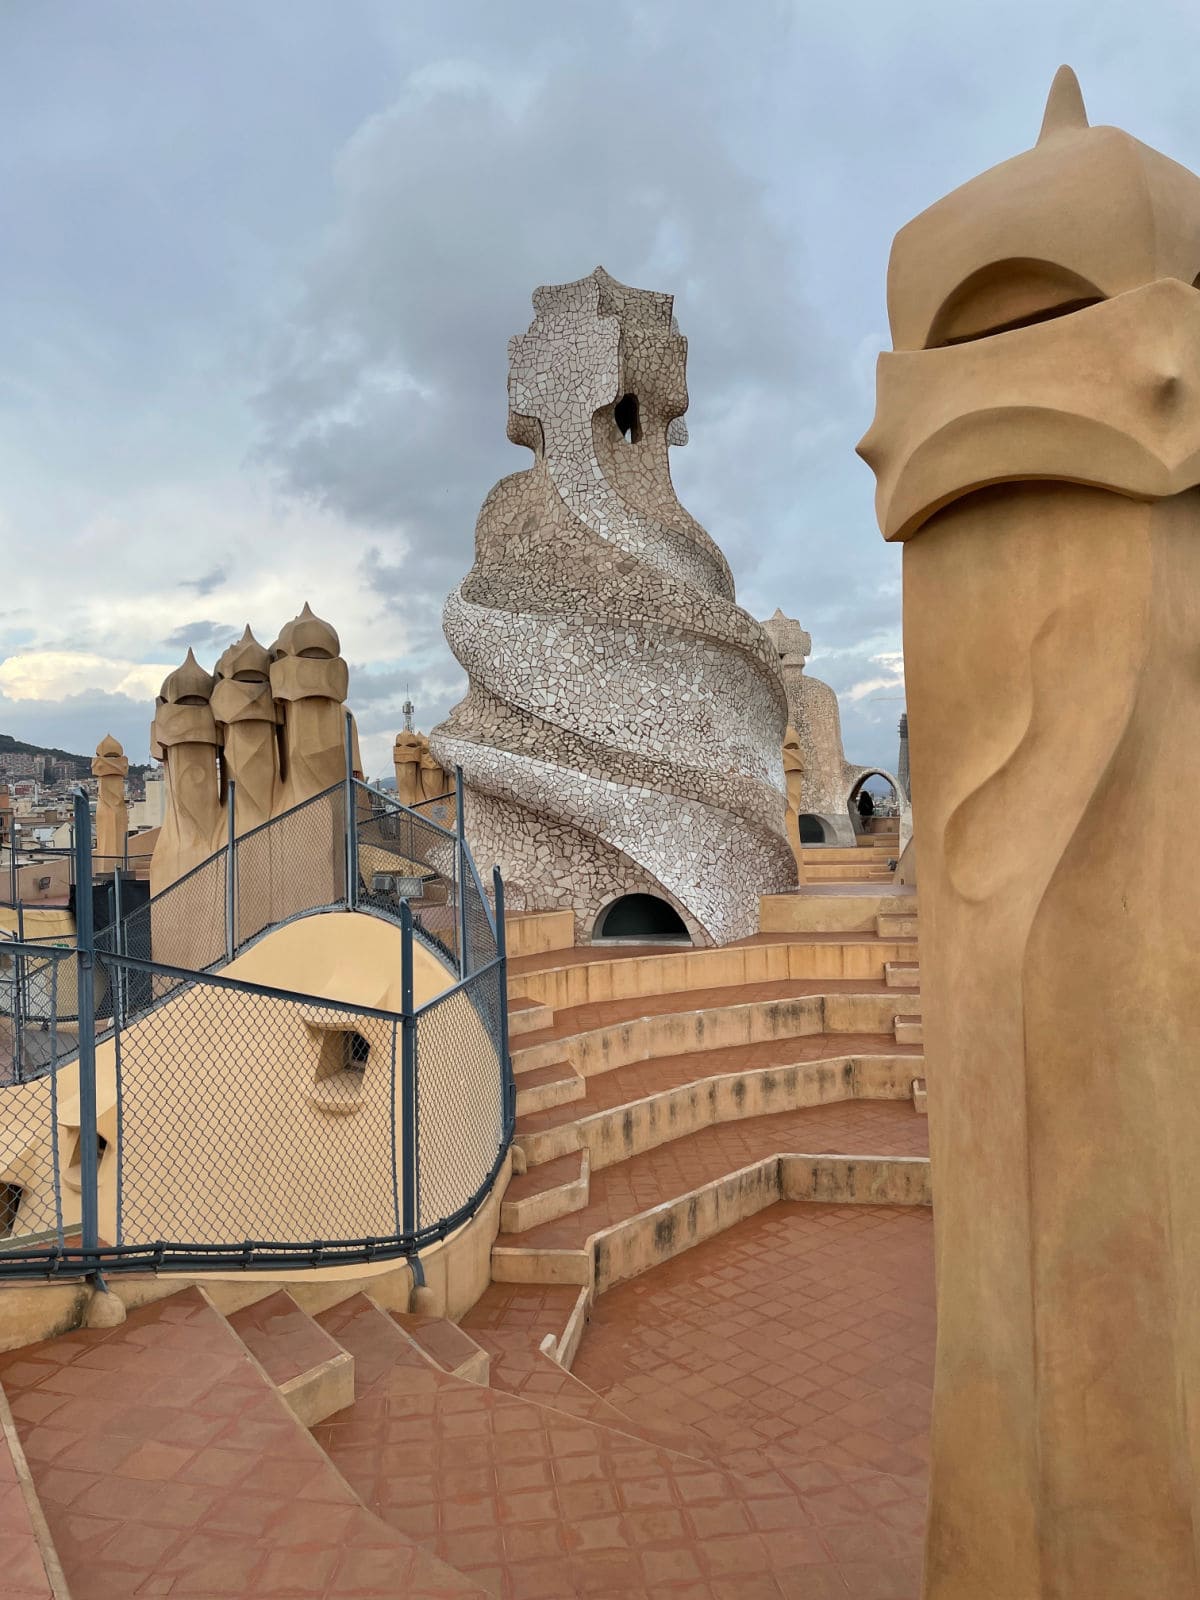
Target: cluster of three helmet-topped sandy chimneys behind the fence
x,y
271,722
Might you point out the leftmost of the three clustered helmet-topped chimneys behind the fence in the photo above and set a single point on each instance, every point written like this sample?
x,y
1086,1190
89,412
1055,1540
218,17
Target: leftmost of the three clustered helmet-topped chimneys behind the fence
x,y
188,740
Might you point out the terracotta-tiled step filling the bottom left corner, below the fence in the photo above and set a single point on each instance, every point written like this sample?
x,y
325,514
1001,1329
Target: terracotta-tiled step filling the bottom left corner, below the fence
x,y
167,1462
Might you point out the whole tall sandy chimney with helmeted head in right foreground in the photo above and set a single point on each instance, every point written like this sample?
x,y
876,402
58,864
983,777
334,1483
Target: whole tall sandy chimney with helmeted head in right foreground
x,y
1038,447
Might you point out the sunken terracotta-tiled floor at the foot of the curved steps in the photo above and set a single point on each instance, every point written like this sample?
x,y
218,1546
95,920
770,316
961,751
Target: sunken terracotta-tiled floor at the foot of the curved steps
x,y
806,1332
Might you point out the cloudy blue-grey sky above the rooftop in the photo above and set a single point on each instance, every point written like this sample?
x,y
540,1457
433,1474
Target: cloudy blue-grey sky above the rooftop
x,y
260,265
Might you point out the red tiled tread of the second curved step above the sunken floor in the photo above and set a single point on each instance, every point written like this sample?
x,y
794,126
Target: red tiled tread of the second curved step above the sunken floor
x,y
623,1086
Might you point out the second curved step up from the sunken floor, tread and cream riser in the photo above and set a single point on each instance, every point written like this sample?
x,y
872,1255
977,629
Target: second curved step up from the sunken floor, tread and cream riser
x,y
650,1103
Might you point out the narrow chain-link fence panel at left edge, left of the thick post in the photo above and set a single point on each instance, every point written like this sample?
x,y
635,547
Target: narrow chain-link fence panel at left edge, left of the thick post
x,y
33,1050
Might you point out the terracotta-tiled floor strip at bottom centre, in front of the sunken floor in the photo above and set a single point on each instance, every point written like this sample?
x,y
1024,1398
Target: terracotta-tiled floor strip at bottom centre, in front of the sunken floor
x,y
537,1505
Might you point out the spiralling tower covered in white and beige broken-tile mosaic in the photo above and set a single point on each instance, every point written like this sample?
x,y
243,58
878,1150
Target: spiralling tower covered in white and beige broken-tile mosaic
x,y
625,718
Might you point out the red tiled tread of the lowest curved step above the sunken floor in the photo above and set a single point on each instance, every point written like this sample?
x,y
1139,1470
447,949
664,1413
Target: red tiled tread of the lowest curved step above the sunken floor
x,y
671,1170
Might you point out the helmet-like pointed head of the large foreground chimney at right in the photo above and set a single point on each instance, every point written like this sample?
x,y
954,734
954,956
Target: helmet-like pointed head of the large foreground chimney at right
x,y
1046,326
